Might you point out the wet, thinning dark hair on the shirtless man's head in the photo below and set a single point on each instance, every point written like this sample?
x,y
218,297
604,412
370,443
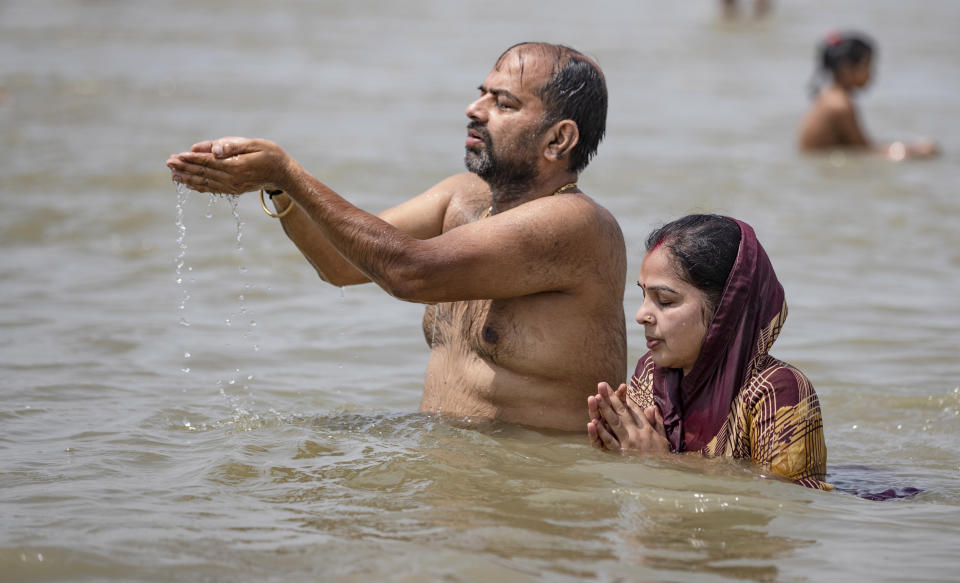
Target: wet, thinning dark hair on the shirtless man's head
x,y
576,91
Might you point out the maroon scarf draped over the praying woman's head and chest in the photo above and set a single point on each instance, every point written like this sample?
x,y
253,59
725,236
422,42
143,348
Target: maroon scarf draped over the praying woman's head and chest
x,y
746,323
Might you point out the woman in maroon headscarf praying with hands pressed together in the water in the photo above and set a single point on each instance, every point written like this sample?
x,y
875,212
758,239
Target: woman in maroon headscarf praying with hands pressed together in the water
x,y
712,309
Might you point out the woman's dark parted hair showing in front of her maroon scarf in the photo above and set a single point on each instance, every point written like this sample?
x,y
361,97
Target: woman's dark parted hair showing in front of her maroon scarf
x,y
703,249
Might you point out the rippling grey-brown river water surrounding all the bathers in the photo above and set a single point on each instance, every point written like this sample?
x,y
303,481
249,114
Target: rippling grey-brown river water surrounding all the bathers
x,y
183,400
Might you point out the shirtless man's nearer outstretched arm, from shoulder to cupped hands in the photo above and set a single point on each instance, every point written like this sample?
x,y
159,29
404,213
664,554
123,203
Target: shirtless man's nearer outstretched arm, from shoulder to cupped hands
x,y
533,248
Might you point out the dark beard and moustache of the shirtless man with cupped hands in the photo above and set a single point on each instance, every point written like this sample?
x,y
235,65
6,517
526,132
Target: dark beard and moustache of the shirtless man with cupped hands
x,y
508,176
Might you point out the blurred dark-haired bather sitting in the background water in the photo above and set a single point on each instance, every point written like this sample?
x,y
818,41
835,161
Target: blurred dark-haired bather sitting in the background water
x,y
845,62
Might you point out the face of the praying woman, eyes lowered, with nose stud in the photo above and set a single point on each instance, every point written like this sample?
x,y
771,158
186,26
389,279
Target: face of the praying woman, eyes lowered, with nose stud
x,y
673,313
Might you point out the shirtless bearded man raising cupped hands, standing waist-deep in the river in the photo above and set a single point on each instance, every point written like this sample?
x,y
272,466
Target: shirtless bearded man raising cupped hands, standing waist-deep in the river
x,y
523,272
